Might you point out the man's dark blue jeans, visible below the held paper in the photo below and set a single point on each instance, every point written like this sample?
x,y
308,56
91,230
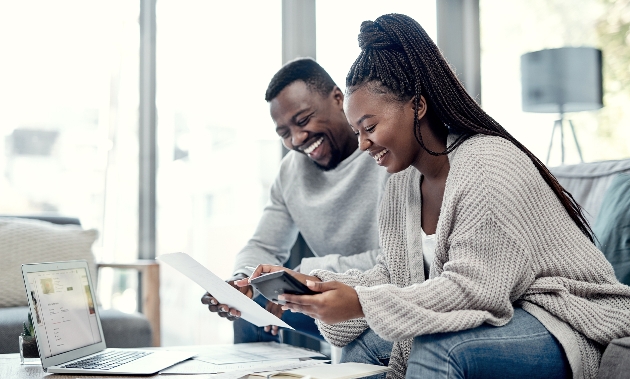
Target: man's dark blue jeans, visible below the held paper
x,y
247,332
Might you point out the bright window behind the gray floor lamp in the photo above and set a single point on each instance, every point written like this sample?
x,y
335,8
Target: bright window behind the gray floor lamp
x,y
512,28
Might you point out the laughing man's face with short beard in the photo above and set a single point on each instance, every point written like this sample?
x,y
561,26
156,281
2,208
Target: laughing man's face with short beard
x,y
313,124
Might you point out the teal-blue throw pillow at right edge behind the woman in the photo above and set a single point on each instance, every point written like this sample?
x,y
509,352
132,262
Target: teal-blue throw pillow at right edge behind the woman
x,y
612,227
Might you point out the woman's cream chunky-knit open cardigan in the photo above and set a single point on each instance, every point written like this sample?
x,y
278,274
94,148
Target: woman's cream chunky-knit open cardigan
x,y
503,238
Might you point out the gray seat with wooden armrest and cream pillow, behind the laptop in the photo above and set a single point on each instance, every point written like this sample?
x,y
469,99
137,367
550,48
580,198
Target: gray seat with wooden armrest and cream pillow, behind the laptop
x,y
43,239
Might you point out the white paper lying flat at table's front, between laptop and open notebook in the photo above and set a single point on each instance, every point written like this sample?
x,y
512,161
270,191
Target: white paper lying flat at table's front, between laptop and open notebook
x,y
192,367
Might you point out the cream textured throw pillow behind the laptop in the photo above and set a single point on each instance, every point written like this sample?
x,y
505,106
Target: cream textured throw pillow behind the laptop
x,y
34,241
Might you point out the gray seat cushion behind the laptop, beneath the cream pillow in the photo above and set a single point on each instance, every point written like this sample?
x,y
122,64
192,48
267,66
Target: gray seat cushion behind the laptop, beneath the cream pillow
x,y
120,329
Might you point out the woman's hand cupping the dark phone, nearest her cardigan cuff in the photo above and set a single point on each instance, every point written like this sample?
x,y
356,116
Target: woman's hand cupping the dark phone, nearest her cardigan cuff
x,y
337,302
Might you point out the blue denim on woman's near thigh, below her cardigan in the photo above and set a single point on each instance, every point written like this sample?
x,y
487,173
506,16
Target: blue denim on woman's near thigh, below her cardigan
x,y
523,348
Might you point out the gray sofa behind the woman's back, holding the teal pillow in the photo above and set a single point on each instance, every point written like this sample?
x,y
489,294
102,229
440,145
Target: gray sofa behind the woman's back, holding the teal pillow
x,y
603,191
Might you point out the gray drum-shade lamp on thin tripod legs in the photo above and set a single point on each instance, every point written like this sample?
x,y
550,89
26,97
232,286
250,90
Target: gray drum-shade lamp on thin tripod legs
x,y
567,79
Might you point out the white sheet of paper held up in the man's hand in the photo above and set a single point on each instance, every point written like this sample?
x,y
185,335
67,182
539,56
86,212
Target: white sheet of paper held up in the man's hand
x,y
223,292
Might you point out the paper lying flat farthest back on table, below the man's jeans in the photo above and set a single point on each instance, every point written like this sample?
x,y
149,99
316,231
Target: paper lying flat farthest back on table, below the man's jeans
x,y
253,352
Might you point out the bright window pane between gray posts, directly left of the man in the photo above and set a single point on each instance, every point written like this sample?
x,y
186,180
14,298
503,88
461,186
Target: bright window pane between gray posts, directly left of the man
x,y
217,148
